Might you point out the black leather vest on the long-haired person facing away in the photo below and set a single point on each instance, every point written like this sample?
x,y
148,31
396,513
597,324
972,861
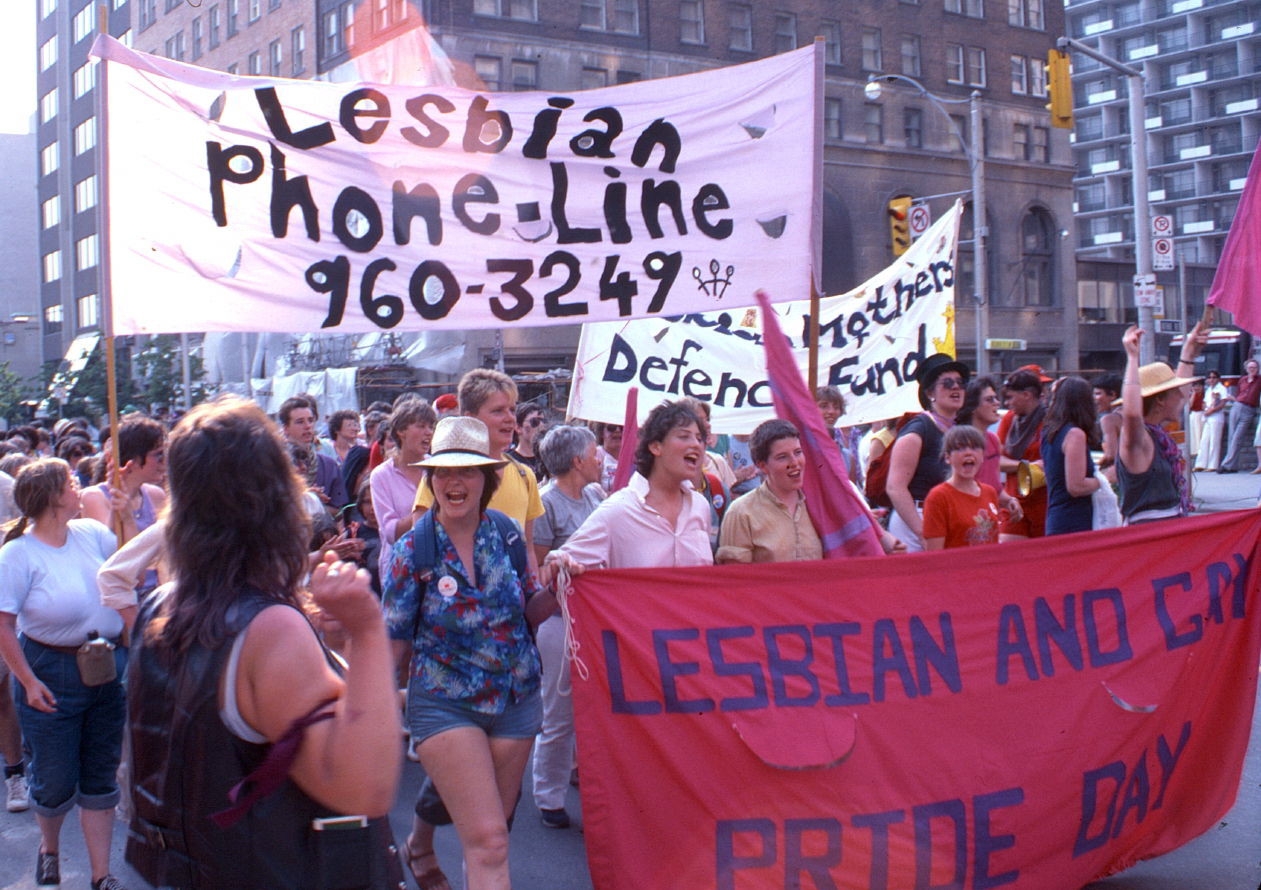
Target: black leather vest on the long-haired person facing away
x,y
185,761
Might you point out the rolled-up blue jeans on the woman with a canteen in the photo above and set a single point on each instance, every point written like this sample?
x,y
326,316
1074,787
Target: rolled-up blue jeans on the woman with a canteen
x,y
75,751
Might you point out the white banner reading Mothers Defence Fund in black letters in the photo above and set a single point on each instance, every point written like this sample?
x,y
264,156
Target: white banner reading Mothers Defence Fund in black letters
x,y
872,342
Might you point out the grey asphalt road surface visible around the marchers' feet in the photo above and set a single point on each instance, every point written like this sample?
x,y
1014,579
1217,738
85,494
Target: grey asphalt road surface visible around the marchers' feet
x,y
1228,858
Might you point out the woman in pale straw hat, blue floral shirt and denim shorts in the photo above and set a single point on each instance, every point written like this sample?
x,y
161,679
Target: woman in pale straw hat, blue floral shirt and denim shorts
x,y
457,596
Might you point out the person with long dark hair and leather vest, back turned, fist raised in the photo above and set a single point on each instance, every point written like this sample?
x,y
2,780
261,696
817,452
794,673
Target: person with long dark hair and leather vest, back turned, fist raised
x,y
230,681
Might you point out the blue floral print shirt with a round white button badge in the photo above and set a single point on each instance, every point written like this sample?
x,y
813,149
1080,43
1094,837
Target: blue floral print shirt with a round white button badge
x,y
471,644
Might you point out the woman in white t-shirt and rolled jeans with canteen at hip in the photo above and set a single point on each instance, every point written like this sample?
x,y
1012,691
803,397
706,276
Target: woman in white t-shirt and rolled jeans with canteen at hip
x,y
49,594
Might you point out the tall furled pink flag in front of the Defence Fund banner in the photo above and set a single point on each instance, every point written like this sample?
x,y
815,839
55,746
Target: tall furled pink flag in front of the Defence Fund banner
x,y
840,517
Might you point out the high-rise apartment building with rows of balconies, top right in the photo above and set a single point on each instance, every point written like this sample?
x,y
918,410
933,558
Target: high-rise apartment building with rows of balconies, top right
x,y
1201,62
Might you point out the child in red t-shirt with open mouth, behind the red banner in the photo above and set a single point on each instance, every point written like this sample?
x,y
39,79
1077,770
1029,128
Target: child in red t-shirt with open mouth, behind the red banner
x,y
962,512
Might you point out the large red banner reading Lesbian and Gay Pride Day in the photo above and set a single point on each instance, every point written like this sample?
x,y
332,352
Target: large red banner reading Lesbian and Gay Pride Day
x,y
1027,715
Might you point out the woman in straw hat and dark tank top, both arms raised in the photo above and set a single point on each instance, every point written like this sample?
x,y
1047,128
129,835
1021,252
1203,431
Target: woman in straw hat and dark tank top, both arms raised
x,y
1151,466
